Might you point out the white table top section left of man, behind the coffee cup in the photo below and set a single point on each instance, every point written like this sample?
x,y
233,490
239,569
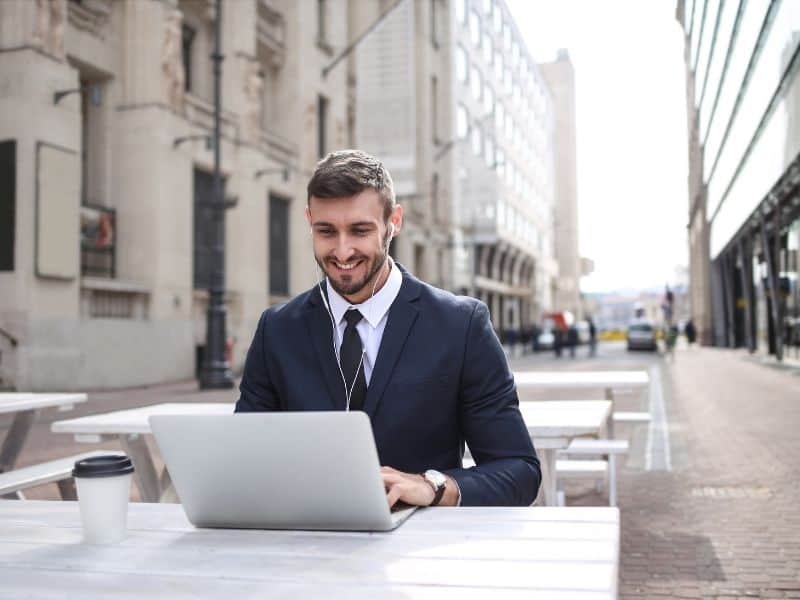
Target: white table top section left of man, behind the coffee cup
x,y
135,420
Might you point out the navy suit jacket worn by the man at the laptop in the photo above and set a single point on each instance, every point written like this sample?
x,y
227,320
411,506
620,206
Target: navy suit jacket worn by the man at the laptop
x,y
440,380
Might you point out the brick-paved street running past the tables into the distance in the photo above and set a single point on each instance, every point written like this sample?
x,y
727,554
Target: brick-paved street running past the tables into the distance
x,y
708,511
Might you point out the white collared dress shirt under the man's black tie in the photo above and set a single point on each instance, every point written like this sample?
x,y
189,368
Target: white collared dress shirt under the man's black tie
x,y
375,313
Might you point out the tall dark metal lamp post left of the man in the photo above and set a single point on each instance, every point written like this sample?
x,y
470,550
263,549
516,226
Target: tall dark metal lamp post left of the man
x,y
215,372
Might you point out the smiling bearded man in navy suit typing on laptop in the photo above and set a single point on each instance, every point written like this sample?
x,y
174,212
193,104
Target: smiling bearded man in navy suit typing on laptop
x,y
424,365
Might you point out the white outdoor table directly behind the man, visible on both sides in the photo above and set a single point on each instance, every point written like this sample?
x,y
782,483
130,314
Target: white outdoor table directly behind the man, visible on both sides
x,y
552,425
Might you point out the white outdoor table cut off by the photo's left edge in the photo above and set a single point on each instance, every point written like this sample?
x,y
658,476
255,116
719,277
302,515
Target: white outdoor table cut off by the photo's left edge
x,y
24,407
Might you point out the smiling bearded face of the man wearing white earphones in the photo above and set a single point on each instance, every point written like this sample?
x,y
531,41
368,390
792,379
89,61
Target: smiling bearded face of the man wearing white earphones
x,y
351,241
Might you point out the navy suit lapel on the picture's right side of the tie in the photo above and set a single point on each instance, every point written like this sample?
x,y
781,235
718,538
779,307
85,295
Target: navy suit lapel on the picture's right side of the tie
x,y
402,315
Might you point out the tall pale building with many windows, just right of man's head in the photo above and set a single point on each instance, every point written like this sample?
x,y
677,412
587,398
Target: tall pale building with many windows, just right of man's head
x,y
451,99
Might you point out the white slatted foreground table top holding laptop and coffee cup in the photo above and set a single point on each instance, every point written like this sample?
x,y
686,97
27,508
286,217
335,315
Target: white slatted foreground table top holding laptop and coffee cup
x,y
439,553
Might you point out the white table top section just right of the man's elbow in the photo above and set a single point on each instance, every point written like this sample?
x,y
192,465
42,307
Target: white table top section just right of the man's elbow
x,y
565,418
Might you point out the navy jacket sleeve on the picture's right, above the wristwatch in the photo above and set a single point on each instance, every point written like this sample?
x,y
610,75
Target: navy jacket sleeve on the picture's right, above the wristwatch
x,y
507,471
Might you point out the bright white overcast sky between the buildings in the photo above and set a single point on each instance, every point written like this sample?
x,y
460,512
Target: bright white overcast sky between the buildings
x,y
631,123
